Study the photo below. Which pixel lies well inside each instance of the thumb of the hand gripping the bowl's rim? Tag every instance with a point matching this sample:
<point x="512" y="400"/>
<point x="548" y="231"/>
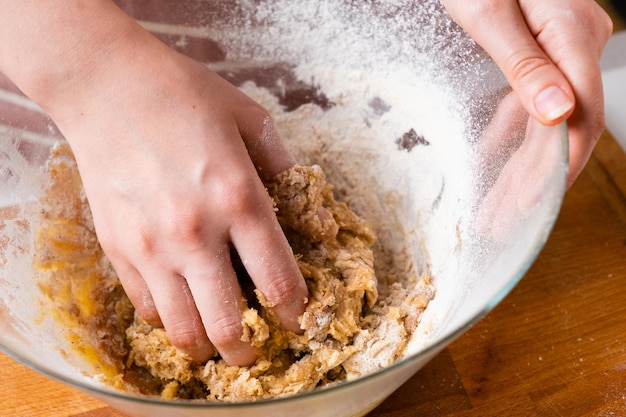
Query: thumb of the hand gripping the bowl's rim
<point x="544" y="91"/>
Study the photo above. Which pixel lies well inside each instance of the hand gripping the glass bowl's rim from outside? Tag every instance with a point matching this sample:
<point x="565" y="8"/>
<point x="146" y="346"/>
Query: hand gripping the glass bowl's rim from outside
<point x="550" y="53"/>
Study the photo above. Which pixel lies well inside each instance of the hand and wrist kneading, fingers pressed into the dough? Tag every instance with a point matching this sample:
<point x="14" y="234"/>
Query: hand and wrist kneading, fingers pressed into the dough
<point x="170" y="156"/>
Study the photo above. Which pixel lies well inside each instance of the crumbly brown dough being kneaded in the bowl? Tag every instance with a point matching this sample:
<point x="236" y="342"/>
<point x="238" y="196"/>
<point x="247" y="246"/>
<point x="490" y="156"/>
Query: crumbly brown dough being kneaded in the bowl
<point x="349" y="330"/>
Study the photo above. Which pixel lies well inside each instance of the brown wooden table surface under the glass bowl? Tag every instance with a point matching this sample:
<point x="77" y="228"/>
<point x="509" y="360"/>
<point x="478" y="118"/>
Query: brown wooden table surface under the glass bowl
<point x="556" y="346"/>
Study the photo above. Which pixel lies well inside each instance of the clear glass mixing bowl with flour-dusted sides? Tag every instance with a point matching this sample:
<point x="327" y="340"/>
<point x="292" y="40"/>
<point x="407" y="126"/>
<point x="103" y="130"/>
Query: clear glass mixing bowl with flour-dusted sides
<point x="449" y="167"/>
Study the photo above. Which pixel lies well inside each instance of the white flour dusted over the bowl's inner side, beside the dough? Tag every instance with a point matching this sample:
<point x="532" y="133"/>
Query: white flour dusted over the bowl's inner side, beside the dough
<point x="385" y="70"/>
